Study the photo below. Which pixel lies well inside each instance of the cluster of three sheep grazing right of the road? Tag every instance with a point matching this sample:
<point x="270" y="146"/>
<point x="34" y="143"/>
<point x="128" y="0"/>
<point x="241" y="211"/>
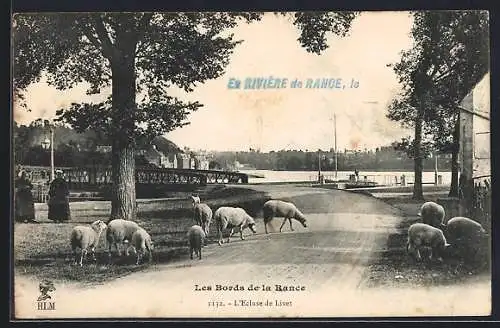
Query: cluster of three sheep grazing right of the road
<point x="437" y="235"/>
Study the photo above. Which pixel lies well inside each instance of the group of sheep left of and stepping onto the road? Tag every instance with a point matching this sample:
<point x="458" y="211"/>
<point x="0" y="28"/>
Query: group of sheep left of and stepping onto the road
<point x="119" y="231"/>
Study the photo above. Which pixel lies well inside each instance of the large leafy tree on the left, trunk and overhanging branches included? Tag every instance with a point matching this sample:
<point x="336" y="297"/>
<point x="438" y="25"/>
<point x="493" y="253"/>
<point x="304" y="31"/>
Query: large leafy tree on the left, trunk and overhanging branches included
<point x="141" y="56"/>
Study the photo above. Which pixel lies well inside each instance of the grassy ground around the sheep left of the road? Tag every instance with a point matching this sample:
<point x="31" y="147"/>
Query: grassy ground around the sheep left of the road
<point x="43" y="249"/>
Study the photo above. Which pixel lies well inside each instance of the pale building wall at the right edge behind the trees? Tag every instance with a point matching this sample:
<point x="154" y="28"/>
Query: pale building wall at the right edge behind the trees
<point x="475" y="153"/>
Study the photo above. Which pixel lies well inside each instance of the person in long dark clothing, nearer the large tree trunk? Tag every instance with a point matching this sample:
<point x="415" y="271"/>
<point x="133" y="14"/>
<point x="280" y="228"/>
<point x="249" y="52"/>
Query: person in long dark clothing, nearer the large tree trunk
<point x="59" y="199"/>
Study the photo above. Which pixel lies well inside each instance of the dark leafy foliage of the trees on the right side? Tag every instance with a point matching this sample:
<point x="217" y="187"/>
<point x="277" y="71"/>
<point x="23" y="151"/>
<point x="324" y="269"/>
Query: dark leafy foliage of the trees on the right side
<point x="450" y="55"/>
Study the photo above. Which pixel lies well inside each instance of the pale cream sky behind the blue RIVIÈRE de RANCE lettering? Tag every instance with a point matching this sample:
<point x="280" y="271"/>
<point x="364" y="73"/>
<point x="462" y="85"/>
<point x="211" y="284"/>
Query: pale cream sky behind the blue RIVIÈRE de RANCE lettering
<point x="285" y="118"/>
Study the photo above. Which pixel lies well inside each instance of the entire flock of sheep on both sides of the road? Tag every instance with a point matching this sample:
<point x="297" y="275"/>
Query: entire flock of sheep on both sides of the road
<point x="433" y="233"/>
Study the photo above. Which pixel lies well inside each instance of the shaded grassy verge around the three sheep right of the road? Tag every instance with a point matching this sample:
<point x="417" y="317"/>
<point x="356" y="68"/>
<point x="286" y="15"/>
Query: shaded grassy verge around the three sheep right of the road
<point x="396" y="268"/>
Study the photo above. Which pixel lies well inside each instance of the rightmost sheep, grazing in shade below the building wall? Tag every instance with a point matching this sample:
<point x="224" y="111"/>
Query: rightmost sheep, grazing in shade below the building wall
<point x="465" y="235"/>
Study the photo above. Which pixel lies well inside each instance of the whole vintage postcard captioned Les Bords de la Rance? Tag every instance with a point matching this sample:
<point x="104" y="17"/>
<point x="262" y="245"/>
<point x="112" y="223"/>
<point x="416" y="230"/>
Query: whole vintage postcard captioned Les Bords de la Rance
<point x="251" y="164"/>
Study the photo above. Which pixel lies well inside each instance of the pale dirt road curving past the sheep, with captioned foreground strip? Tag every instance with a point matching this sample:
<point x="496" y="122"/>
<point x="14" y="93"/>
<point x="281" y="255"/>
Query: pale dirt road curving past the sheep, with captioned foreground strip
<point x="322" y="267"/>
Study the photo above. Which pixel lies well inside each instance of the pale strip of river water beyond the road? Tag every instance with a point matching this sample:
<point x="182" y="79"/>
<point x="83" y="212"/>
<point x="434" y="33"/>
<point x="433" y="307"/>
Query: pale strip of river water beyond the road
<point x="383" y="178"/>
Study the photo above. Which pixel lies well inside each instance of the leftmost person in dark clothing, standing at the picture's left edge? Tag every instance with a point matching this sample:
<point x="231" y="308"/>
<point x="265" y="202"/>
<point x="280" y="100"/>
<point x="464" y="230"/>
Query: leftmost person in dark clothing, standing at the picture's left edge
<point x="24" y="204"/>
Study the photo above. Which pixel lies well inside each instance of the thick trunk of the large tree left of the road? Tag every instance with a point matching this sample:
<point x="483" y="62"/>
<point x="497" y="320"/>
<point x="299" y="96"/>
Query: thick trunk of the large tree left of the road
<point x="123" y="204"/>
